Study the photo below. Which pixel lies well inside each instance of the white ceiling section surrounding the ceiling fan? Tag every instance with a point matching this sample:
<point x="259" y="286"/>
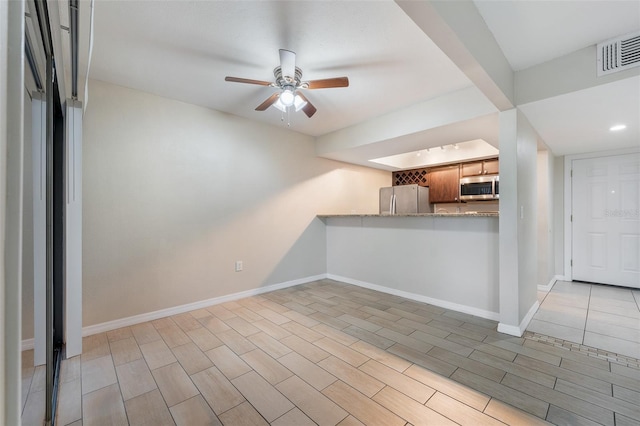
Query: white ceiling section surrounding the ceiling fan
<point x="184" y="49"/>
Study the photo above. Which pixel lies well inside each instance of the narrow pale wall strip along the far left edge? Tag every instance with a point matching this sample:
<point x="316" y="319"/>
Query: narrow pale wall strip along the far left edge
<point x="11" y="206"/>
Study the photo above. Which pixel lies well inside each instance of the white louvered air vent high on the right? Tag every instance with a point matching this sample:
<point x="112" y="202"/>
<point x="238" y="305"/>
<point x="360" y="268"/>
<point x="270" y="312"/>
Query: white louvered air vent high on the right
<point x="619" y="54"/>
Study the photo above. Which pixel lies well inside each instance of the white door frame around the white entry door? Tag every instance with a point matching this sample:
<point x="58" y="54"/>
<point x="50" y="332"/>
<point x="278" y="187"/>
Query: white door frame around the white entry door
<point x="568" y="196"/>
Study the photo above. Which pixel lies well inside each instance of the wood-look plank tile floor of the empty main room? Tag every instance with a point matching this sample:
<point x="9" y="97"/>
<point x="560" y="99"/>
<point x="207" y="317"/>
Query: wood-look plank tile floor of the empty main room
<point x="328" y="353"/>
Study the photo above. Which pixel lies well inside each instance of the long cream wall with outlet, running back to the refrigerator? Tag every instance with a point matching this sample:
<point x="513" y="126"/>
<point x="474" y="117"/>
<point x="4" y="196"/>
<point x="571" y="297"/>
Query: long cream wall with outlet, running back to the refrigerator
<point x="174" y="194"/>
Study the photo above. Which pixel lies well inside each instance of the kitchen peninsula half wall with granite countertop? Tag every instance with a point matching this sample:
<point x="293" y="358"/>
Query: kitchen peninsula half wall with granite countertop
<point x="447" y="260"/>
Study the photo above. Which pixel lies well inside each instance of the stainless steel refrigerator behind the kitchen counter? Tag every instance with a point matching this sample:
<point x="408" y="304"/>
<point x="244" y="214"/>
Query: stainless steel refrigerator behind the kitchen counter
<point x="405" y="199"/>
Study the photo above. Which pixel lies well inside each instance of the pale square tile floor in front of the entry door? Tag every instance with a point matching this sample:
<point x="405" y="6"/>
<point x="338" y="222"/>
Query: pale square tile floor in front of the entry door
<point x="600" y="316"/>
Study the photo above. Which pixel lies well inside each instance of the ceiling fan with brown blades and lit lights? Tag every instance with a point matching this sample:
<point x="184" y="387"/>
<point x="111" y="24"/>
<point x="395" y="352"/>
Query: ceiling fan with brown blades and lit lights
<point x="289" y="81"/>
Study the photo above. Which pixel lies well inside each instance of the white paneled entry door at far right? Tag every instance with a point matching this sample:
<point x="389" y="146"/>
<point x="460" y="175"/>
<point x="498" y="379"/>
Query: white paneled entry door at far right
<point x="606" y="220"/>
